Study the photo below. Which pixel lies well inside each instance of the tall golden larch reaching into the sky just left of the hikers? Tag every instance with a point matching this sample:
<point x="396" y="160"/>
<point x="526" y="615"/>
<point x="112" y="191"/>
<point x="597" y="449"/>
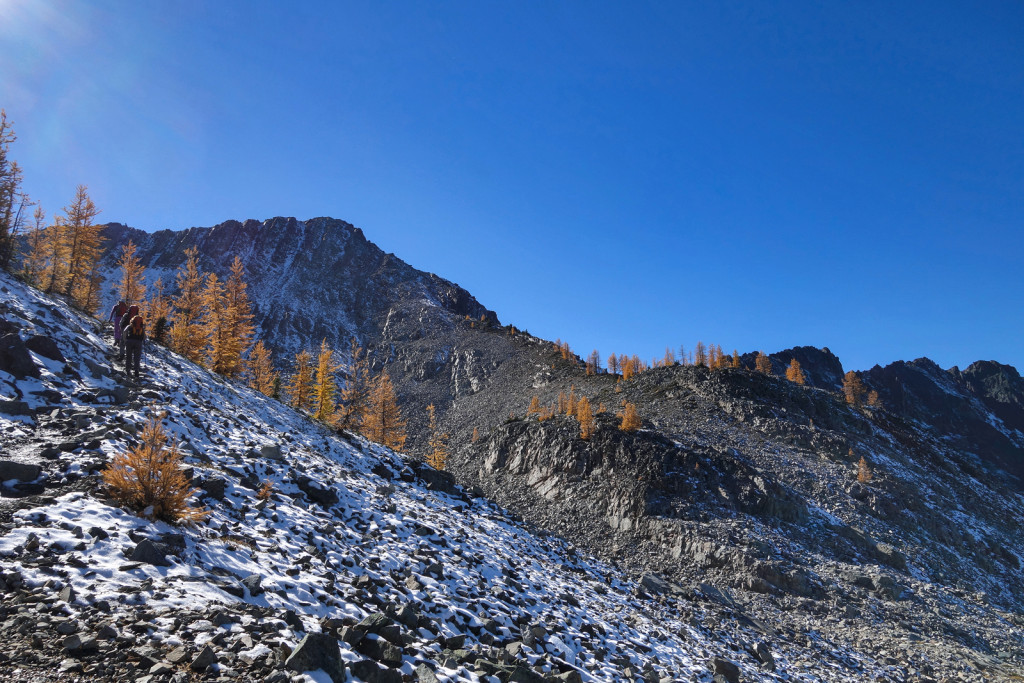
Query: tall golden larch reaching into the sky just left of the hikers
<point x="84" y="245"/>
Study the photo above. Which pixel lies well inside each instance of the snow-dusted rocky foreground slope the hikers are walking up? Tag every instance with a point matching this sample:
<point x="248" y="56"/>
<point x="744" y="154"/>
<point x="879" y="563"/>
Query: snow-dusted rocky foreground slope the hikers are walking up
<point x="403" y="579"/>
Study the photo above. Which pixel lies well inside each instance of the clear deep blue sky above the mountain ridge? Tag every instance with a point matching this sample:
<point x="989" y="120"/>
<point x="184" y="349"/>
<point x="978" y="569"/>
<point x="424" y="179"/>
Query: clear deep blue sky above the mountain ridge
<point x="623" y="176"/>
